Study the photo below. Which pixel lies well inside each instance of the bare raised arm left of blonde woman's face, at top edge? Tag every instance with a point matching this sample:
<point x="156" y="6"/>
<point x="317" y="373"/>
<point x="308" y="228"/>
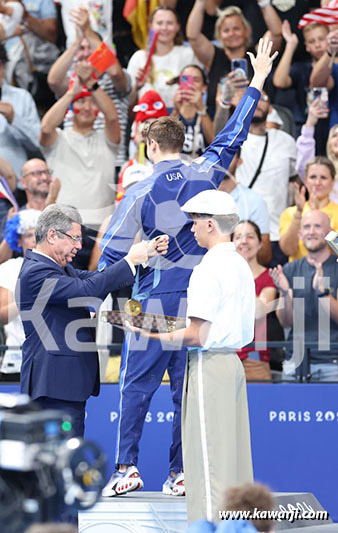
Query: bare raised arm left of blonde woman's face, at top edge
<point x="202" y="47"/>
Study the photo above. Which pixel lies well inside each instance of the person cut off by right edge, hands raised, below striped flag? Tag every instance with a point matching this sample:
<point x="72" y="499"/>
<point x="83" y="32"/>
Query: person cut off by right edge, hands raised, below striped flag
<point x="325" y="74"/>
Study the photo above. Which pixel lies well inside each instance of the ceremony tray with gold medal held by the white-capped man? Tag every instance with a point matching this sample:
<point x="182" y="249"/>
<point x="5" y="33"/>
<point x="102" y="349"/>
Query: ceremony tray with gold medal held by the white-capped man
<point x="149" y="321"/>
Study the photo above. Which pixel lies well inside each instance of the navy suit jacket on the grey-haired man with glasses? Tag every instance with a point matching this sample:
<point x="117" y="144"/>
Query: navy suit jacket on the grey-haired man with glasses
<point x="54" y="363"/>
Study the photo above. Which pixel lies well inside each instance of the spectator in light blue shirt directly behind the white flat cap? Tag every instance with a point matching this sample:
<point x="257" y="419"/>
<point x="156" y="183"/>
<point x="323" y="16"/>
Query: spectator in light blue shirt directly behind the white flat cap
<point x="250" y="205"/>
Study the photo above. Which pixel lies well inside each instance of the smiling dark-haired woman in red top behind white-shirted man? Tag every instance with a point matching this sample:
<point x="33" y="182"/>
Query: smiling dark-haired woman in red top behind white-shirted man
<point x="248" y="241"/>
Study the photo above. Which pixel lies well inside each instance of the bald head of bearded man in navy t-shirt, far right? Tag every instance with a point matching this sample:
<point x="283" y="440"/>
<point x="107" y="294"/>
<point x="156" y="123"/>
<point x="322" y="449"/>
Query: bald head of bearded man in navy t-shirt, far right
<point x="314" y="226"/>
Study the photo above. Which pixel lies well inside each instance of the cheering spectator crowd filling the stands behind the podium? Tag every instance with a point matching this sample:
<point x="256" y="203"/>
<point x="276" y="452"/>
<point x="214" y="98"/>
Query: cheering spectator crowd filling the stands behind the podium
<point x="71" y="133"/>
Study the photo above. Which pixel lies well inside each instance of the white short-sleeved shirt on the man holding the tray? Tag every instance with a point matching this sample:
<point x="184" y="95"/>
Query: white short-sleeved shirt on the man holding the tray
<point x="222" y="291"/>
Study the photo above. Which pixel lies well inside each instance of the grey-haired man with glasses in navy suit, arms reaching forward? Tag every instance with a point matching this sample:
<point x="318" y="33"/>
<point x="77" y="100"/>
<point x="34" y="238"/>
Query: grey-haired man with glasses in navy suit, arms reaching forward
<point x="60" y="366"/>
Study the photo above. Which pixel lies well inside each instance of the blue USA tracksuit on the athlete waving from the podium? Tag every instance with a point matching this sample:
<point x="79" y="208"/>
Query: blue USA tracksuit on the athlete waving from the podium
<point x="152" y="207"/>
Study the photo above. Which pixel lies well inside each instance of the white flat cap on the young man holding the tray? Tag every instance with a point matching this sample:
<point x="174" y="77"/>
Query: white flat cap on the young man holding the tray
<point x="211" y="202"/>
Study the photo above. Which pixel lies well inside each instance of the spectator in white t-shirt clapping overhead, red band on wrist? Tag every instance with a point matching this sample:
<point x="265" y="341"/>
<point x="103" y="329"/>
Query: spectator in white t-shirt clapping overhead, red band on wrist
<point x="84" y="158"/>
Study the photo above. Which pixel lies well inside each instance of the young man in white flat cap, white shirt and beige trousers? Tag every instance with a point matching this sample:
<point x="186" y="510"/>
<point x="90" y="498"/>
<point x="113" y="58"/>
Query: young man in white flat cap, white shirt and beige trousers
<point x="221" y="311"/>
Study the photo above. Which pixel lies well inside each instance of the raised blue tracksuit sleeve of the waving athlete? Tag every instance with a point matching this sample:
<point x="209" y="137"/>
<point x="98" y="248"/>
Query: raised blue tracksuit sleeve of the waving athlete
<point x="228" y="141"/>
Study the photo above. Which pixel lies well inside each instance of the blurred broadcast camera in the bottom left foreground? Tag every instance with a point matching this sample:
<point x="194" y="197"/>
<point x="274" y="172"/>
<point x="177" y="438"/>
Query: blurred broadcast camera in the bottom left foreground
<point x="45" y="473"/>
